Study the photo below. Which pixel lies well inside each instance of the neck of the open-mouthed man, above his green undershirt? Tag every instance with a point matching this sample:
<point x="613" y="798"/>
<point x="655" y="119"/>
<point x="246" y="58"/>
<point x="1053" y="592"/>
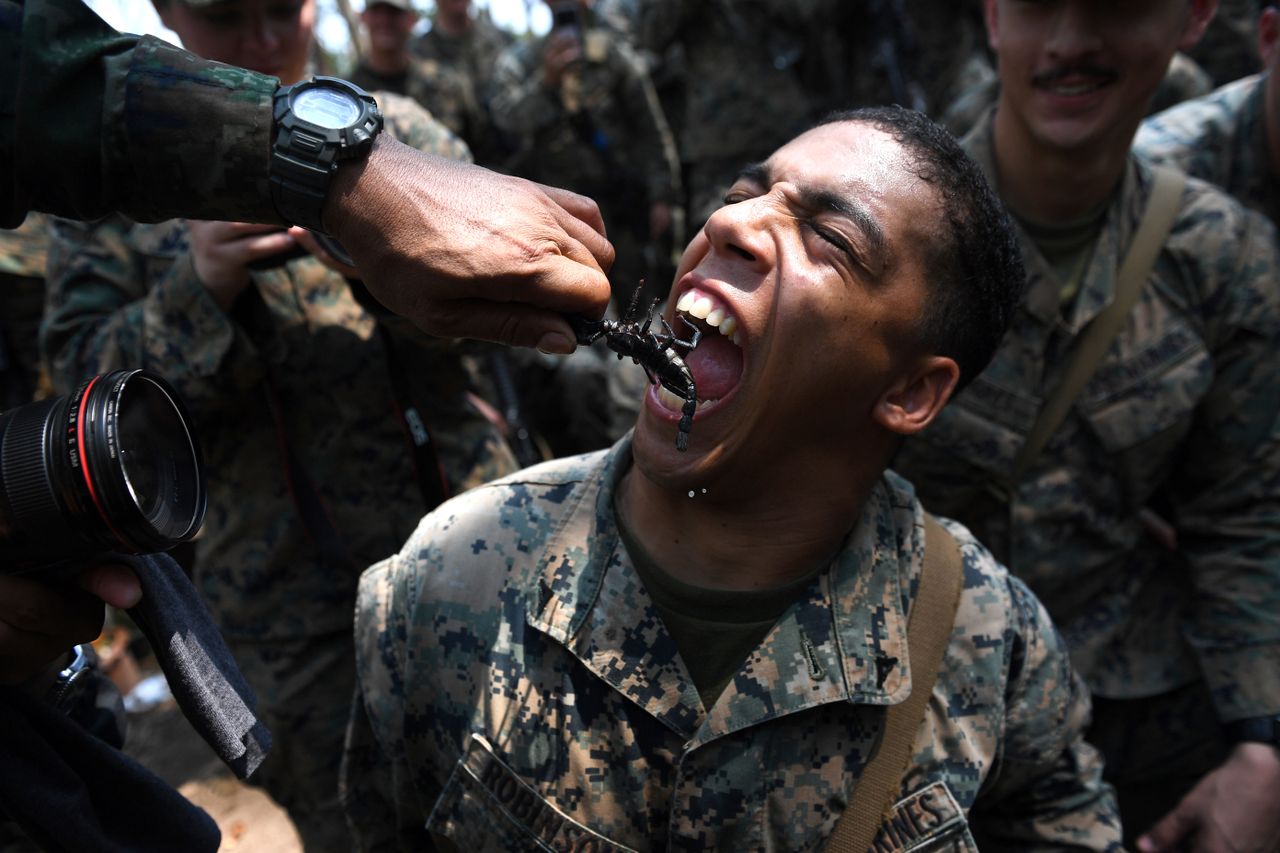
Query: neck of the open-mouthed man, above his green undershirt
<point x="755" y="542"/>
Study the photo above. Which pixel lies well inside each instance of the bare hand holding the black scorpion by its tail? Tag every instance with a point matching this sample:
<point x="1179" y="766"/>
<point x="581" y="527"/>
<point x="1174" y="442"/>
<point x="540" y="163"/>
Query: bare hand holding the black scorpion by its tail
<point x="469" y="253"/>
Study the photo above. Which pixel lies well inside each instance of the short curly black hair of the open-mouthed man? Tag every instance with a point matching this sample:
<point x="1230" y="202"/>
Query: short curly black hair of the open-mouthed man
<point x="975" y="264"/>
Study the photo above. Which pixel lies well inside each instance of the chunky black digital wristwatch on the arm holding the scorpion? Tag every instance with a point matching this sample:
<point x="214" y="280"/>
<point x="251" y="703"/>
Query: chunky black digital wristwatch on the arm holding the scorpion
<point x="319" y="124"/>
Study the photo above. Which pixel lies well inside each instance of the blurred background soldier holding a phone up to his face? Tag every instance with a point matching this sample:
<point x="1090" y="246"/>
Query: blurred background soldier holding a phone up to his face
<point x="584" y="111"/>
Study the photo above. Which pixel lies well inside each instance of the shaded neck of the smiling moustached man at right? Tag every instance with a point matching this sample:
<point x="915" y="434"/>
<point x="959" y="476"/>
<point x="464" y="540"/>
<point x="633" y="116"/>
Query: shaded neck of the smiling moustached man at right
<point x="1048" y="184"/>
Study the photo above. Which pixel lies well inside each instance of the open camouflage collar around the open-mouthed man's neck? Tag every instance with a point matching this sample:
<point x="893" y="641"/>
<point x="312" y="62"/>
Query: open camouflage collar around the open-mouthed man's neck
<point x="843" y="641"/>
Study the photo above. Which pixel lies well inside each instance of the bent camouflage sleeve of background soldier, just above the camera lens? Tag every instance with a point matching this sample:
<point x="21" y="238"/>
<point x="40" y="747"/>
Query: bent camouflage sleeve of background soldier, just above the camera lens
<point x="102" y="314"/>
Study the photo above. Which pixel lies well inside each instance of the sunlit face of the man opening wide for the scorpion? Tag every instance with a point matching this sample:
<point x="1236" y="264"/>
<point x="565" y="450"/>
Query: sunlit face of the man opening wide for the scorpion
<point x="808" y="289"/>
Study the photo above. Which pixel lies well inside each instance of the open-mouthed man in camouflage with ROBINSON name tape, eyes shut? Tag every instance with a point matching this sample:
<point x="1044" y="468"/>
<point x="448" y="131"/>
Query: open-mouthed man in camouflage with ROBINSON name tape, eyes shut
<point x="647" y="649"/>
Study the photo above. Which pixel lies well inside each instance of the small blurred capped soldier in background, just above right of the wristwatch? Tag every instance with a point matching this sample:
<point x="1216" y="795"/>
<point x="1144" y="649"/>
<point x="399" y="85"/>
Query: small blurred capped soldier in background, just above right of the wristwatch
<point x="390" y="66"/>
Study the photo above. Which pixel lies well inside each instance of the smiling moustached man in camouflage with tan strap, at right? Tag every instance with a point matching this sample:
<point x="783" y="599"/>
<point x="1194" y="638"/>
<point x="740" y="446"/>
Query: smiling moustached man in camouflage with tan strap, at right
<point x="1122" y="451"/>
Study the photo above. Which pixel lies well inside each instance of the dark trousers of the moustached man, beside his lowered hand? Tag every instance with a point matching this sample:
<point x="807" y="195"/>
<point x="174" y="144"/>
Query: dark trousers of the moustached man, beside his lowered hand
<point x="1156" y="750"/>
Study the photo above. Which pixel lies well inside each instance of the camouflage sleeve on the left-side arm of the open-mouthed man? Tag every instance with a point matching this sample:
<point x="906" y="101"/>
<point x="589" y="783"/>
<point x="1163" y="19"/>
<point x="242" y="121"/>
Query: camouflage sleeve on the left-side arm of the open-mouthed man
<point x="386" y="809"/>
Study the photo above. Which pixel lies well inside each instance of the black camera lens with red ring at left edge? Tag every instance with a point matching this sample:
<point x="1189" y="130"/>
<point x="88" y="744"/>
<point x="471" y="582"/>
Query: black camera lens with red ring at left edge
<point x="115" y="467"/>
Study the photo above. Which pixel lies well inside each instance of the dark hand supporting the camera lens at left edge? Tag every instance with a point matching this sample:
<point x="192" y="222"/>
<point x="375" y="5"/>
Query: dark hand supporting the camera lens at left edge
<point x="40" y="623"/>
